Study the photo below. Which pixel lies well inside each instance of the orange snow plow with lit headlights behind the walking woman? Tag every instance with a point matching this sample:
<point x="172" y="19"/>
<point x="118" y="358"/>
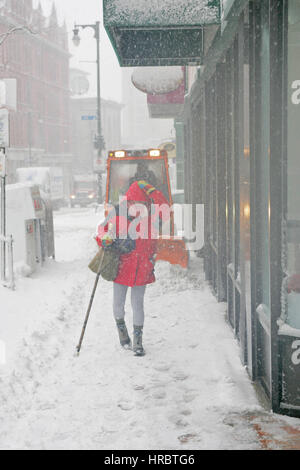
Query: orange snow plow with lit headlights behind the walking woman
<point x="123" y="168"/>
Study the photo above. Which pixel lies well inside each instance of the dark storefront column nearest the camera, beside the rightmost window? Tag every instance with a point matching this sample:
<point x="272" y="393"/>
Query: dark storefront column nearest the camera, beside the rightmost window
<point x="276" y="152"/>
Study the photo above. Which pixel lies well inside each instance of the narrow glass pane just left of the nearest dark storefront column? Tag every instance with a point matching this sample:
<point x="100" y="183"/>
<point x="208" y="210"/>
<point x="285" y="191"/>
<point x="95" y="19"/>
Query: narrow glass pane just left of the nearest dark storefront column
<point x="262" y="194"/>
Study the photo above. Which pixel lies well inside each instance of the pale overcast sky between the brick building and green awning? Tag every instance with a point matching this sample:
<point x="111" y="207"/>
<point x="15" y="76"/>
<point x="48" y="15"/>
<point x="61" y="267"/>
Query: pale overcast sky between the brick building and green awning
<point x="83" y="12"/>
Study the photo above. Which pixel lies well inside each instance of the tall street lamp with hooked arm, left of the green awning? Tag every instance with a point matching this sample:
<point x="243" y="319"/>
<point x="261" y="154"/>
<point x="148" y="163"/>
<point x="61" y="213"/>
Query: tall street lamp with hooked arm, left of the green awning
<point x="100" y="139"/>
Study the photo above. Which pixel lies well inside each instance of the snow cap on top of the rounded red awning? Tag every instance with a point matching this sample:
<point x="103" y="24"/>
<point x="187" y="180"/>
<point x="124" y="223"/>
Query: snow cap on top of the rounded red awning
<point x="157" y="80"/>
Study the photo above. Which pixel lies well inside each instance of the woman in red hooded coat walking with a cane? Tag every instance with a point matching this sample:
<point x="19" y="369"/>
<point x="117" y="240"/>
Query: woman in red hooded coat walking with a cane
<point x="136" y="269"/>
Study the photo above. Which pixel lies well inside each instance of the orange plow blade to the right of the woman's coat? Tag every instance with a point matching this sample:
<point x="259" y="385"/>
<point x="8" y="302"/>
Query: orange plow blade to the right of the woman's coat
<point x="172" y="250"/>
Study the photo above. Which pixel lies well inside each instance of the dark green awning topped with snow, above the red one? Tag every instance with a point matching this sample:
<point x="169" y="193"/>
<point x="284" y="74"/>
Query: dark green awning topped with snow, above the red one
<point x="153" y="33"/>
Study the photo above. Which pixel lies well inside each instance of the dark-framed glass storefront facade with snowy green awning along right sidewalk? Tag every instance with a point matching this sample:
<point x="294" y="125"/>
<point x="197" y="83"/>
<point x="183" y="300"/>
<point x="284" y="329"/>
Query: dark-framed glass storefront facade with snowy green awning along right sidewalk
<point x="240" y="137"/>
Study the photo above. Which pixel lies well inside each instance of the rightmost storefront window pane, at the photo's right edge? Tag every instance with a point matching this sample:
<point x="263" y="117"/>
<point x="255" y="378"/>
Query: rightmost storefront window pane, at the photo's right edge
<point x="293" y="167"/>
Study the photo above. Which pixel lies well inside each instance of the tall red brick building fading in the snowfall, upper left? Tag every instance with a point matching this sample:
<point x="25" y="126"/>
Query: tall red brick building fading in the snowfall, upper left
<point x="38" y="58"/>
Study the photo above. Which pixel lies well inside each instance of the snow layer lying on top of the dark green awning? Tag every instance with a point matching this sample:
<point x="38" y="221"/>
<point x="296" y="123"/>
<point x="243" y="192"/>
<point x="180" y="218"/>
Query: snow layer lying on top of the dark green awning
<point x="156" y="12"/>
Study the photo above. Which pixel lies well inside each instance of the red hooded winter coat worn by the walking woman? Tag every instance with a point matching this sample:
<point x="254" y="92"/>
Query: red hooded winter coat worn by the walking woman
<point x="137" y="267"/>
